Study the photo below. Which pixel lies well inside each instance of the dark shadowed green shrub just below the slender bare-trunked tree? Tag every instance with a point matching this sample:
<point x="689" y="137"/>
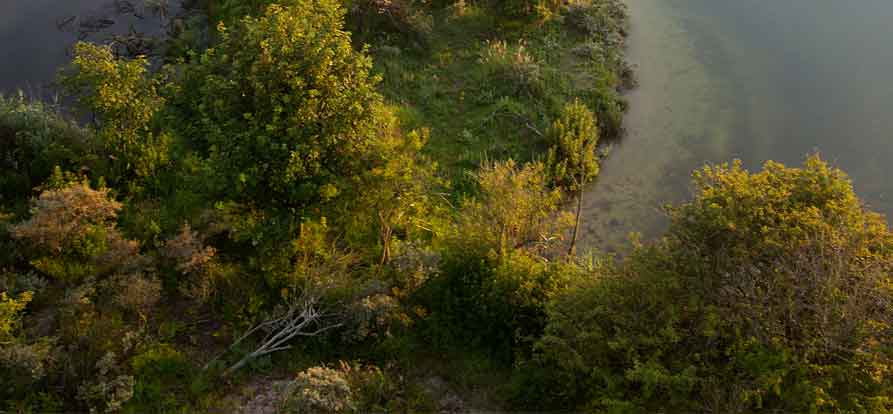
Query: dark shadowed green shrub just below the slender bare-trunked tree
<point x="497" y="305"/>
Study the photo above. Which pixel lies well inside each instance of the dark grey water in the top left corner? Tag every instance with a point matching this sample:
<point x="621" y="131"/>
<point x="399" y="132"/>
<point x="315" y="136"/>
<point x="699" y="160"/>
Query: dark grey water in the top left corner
<point x="36" y="36"/>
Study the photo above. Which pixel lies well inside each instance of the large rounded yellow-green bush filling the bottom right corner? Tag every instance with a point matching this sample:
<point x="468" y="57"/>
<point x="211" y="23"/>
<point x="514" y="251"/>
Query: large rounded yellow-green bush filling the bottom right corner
<point x="770" y="293"/>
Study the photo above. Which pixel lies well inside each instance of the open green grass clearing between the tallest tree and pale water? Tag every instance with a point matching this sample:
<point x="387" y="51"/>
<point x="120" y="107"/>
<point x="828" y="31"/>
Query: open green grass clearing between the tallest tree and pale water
<point x="488" y="87"/>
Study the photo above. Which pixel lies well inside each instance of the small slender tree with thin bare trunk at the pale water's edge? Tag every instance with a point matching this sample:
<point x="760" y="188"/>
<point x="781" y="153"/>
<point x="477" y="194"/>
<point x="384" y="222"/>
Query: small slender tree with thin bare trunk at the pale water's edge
<point x="573" y="158"/>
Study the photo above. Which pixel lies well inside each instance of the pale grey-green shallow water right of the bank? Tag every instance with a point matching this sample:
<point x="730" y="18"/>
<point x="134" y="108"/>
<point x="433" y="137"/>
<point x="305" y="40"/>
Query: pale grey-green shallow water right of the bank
<point x="753" y="80"/>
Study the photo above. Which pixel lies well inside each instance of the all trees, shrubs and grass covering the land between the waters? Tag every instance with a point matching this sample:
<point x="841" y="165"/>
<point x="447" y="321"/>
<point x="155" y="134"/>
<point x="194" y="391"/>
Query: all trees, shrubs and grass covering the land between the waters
<point x="360" y="206"/>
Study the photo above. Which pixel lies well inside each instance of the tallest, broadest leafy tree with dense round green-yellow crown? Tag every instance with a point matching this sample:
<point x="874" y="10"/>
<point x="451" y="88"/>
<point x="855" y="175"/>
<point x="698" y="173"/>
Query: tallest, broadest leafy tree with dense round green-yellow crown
<point x="285" y="108"/>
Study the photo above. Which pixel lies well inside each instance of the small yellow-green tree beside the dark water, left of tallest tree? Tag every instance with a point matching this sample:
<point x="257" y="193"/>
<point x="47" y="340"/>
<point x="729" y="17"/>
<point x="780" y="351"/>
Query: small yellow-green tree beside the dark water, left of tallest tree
<point x="123" y="98"/>
